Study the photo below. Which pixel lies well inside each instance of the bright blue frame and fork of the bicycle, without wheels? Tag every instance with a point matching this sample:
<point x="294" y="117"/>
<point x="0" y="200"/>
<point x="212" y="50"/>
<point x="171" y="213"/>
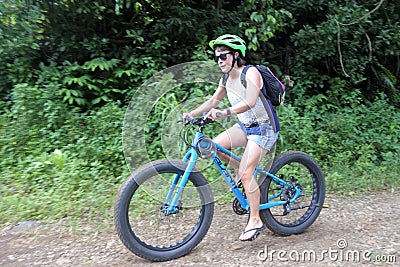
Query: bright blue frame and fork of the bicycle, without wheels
<point x="179" y="182"/>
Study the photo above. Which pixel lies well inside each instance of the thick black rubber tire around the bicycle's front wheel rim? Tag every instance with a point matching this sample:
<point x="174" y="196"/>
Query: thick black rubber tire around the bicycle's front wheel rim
<point x="128" y="189"/>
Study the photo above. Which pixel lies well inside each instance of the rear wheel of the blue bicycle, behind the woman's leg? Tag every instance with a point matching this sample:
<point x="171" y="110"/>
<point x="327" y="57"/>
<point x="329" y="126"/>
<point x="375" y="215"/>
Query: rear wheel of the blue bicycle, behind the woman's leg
<point x="302" y="171"/>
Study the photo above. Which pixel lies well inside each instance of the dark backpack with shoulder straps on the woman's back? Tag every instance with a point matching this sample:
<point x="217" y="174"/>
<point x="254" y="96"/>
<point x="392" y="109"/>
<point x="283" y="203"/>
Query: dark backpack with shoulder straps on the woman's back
<point x="273" y="89"/>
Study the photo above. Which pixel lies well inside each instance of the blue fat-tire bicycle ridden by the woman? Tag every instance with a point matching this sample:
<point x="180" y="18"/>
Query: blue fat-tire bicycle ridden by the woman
<point x="165" y="208"/>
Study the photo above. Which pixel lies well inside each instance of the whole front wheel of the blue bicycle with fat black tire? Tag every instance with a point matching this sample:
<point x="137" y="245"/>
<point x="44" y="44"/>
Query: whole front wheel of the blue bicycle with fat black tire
<point x="140" y="216"/>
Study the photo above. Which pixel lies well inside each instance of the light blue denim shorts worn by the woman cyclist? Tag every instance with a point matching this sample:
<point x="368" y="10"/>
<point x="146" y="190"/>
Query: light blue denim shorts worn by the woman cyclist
<point x="262" y="134"/>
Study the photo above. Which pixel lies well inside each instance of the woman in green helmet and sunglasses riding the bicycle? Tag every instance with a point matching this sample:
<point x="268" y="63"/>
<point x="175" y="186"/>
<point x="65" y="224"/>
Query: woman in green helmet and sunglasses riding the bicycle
<point x="255" y="129"/>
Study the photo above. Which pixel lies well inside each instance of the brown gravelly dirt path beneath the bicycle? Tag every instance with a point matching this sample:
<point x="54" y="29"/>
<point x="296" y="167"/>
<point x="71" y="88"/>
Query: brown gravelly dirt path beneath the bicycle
<point x="351" y="232"/>
